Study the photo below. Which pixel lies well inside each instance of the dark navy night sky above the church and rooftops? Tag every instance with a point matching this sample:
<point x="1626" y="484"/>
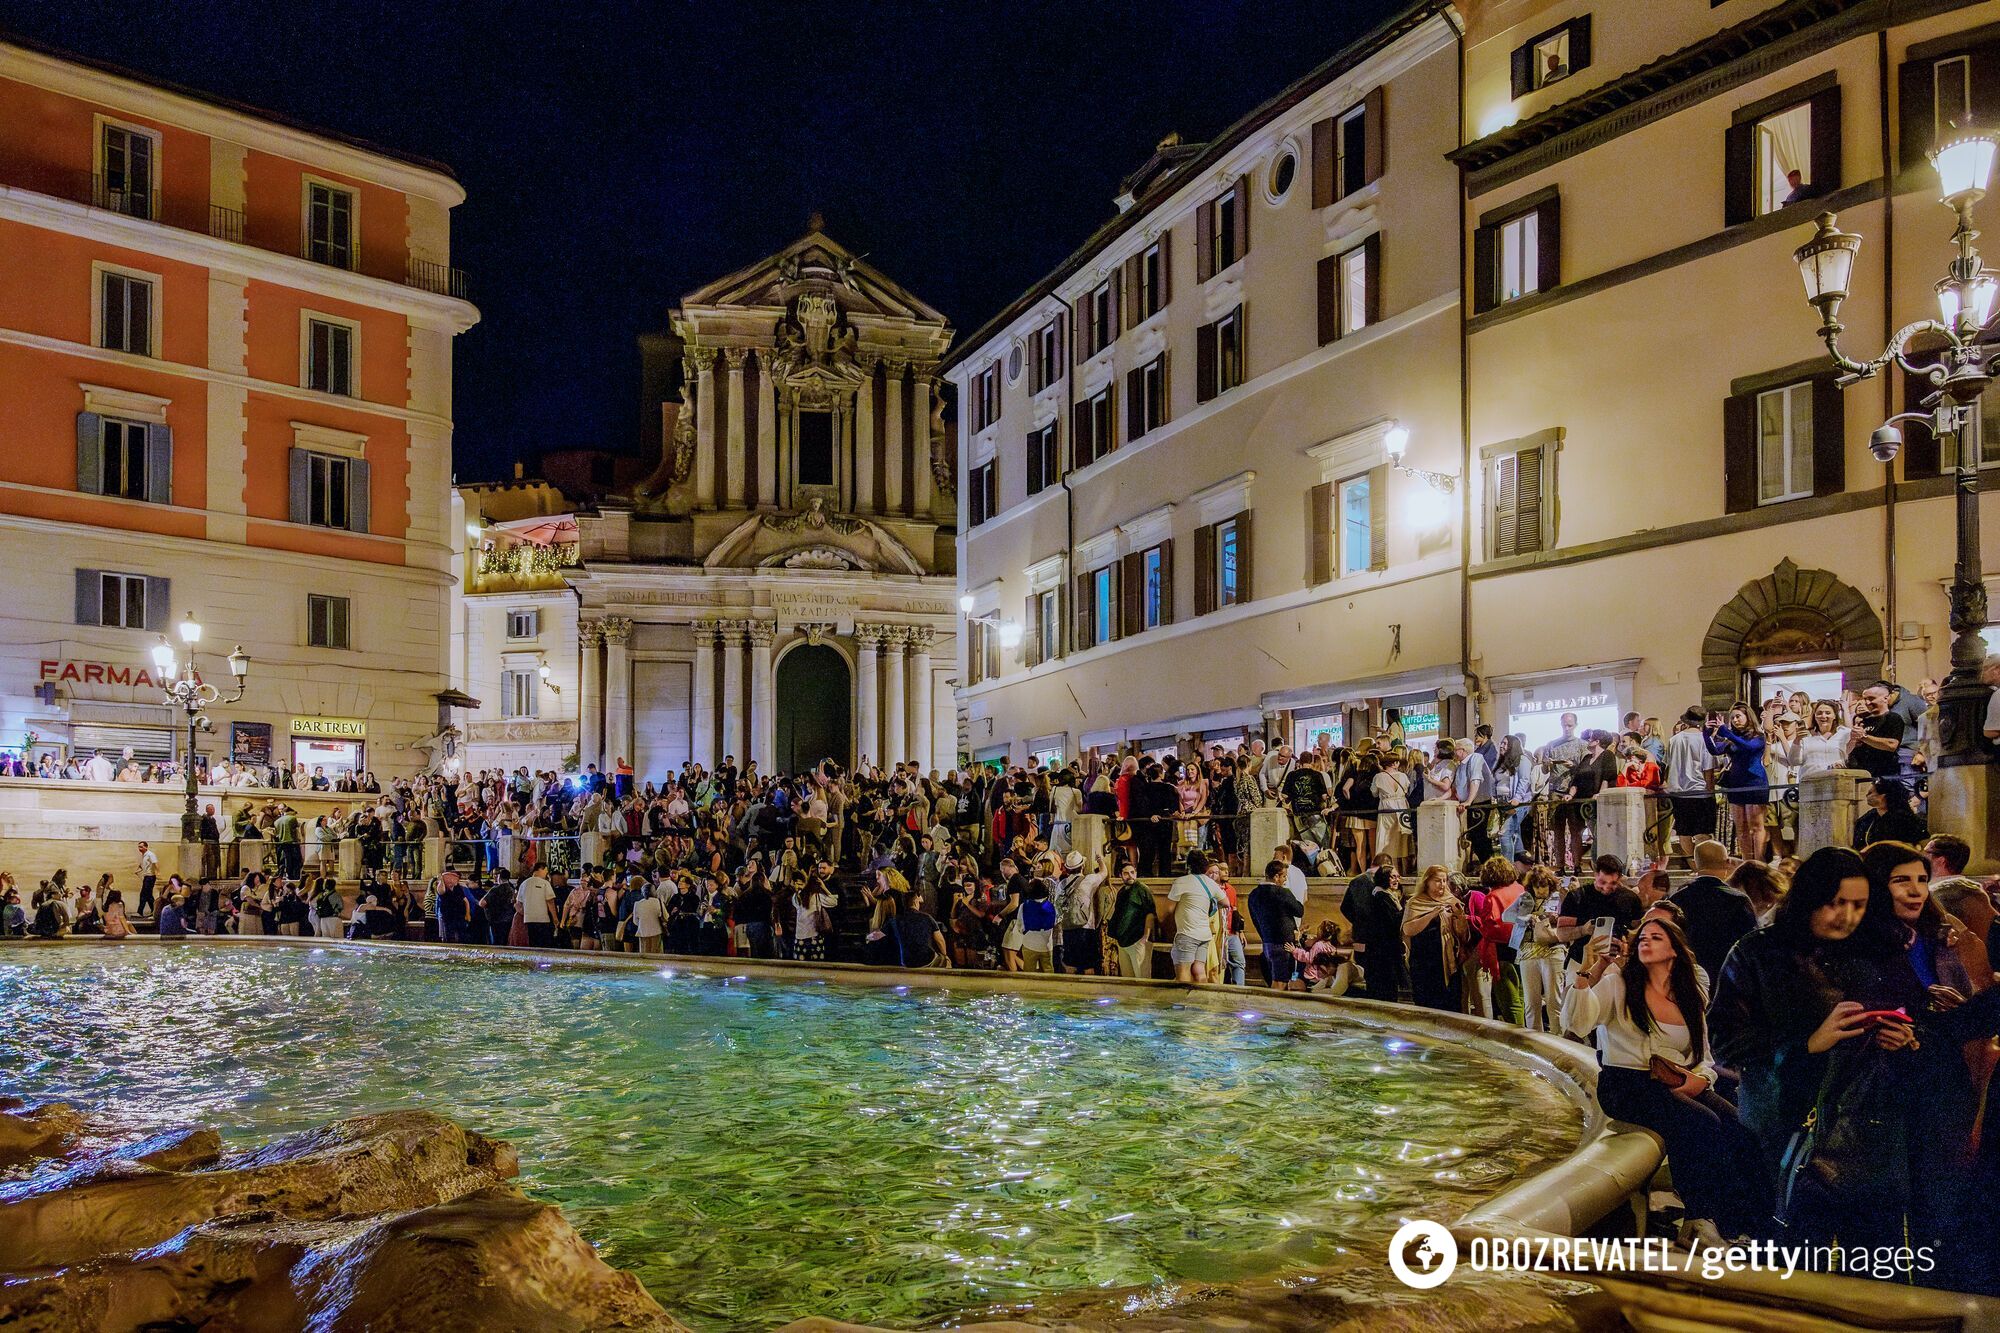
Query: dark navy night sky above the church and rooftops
<point x="617" y="157"/>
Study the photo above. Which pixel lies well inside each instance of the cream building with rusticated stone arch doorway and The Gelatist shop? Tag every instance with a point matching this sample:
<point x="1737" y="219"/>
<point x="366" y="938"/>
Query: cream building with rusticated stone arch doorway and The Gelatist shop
<point x="1709" y="523"/>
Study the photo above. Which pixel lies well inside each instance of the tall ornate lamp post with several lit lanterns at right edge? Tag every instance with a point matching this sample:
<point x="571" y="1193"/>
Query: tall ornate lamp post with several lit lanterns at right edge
<point x="1959" y="377"/>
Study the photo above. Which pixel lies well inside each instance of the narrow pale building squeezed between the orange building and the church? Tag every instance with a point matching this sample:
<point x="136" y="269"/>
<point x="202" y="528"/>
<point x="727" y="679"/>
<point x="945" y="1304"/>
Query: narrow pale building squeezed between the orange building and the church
<point x="515" y="643"/>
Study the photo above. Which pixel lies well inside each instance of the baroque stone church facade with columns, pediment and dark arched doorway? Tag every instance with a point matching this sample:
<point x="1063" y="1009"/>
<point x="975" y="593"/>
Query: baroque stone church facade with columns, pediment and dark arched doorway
<point x="781" y="589"/>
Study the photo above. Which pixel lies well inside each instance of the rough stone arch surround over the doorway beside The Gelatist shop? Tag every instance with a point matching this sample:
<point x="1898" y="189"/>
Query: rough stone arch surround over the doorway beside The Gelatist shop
<point x="1791" y="613"/>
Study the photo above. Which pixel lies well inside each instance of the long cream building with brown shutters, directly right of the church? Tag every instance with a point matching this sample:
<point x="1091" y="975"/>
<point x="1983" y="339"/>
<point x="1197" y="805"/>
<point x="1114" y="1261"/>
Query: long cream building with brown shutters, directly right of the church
<point x="1179" y="481"/>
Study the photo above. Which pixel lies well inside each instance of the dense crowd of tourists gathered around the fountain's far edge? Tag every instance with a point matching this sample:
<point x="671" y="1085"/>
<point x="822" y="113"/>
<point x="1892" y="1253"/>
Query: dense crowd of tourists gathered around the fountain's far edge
<point x="1811" y="1038"/>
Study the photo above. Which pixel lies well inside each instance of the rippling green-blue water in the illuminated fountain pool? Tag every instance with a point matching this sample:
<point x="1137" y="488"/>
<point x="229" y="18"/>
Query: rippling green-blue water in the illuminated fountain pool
<point x="761" y="1152"/>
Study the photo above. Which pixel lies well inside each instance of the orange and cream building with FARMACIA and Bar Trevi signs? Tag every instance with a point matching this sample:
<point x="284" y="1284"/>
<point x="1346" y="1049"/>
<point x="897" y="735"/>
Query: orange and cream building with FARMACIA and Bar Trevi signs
<point x="225" y="389"/>
